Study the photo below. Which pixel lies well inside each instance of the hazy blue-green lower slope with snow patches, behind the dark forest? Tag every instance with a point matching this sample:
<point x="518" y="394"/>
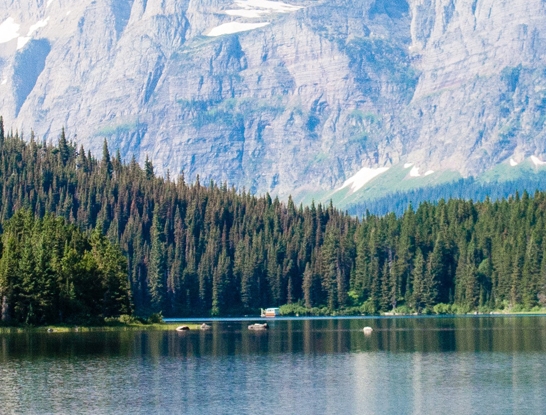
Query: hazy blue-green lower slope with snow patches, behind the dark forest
<point x="393" y="189"/>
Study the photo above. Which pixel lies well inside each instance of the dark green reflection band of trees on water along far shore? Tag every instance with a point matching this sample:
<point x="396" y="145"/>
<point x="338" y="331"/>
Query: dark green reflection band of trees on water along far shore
<point x="309" y="336"/>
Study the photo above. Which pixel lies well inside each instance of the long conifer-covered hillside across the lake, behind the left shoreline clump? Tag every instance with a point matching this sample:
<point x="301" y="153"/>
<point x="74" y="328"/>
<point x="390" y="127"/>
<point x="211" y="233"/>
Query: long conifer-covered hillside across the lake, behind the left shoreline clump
<point x="201" y="250"/>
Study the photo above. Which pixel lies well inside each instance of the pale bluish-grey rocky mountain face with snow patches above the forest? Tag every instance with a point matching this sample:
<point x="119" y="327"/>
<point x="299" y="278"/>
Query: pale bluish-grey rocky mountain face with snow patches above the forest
<point x="282" y="97"/>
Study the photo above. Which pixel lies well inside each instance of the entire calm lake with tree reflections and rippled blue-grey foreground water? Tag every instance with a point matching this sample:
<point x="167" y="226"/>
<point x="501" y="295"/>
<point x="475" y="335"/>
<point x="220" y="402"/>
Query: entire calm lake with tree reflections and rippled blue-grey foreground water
<point x="441" y="365"/>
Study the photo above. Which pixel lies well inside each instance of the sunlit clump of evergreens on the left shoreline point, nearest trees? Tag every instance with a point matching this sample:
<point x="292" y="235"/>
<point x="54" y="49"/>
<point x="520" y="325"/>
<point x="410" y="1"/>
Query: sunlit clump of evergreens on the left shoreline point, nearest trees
<point x="51" y="272"/>
